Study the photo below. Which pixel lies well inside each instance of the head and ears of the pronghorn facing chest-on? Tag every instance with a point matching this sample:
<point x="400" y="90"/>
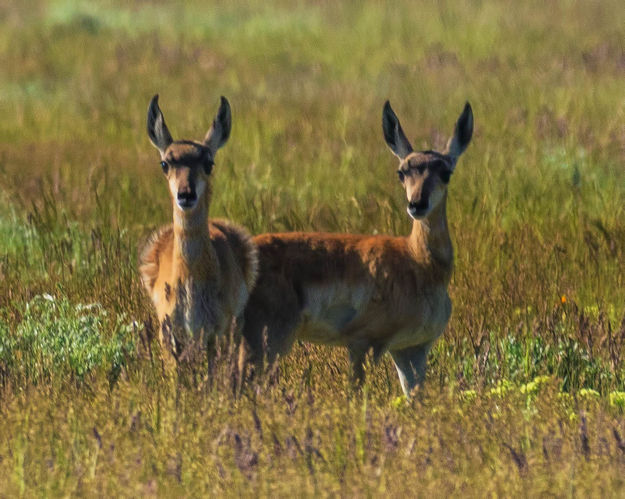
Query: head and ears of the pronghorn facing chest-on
<point x="188" y="164"/>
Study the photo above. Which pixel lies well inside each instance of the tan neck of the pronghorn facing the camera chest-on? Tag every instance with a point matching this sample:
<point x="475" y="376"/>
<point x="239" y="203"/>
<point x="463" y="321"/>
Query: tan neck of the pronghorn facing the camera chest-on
<point x="193" y="252"/>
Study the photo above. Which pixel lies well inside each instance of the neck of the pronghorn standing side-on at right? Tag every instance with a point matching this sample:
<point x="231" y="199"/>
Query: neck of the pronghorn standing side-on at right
<point x="430" y="239"/>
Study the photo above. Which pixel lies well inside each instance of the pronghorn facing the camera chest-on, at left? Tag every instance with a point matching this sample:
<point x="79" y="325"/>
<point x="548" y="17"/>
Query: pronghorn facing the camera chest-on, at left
<point x="198" y="272"/>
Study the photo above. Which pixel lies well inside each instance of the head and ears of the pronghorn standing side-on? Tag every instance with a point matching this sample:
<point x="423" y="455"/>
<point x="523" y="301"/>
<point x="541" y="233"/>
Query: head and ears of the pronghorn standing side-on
<point x="425" y="174"/>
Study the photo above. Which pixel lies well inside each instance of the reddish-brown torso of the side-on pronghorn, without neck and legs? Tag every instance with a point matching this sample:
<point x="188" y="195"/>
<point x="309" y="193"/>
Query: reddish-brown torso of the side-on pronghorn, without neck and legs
<point x="338" y="282"/>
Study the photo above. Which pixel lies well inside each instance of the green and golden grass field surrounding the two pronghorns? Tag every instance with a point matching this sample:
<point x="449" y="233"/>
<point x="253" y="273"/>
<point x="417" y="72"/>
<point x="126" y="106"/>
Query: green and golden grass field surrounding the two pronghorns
<point x="525" y="393"/>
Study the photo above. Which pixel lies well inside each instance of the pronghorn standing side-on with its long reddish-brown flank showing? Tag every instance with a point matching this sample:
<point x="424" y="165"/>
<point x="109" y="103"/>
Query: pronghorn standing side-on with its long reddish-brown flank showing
<point x="365" y="292"/>
